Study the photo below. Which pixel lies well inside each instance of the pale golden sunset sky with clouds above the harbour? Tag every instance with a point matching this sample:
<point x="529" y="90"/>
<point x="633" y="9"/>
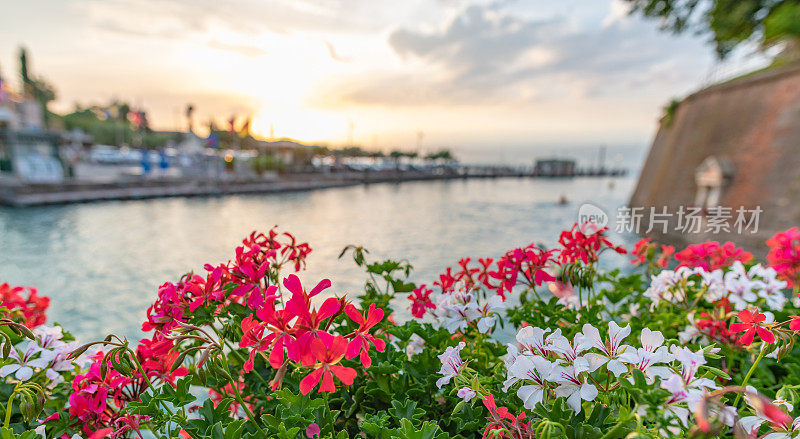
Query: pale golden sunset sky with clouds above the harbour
<point x="506" y="73"/>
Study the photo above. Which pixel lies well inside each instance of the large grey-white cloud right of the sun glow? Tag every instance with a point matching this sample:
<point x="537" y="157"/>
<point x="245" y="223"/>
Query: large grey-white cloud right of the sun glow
<point x="486" y="55"/>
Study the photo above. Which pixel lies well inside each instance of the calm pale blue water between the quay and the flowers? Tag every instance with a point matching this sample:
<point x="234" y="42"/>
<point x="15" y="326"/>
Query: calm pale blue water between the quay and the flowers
<point x="101" y="263"/>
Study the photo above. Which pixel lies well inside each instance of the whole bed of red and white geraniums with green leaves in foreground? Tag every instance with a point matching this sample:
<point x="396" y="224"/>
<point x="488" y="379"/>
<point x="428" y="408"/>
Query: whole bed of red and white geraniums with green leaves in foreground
<point x="281" y="360"/>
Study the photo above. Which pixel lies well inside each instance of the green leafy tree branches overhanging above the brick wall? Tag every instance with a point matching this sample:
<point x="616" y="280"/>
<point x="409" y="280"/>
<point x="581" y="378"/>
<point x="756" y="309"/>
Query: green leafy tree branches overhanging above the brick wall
<point x="729" y="22"/>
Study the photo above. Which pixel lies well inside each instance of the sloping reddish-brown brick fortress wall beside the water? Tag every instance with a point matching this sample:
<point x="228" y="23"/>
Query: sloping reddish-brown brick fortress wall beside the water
<point x="754" y="122"/>
